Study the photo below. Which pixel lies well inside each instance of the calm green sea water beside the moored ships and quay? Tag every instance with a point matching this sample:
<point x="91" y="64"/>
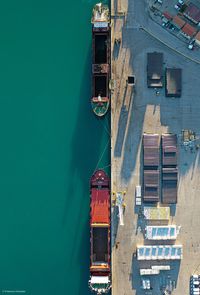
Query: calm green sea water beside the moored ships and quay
<point x="50" y="145"/>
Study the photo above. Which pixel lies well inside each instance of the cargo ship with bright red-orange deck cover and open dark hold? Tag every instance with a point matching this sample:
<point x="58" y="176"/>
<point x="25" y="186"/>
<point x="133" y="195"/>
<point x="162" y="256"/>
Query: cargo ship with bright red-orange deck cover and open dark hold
<point x="100" y="264"/>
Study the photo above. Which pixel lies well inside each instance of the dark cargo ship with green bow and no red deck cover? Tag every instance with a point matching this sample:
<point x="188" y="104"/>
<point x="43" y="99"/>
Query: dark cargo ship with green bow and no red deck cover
<point x="100" y="59"/>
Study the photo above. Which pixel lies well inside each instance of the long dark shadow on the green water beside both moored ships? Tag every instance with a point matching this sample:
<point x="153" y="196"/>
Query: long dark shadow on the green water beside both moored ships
<point x="86" y="156"/>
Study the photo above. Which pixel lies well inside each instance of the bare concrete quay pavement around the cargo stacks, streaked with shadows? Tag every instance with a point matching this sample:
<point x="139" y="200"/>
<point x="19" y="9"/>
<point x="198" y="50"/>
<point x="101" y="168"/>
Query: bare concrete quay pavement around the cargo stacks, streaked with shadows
<point x="137" y="109"/>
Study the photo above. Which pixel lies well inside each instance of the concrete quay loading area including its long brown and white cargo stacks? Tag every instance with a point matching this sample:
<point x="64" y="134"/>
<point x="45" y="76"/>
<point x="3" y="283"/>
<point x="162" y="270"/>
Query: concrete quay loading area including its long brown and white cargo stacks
<point x="156" y="247"/>
